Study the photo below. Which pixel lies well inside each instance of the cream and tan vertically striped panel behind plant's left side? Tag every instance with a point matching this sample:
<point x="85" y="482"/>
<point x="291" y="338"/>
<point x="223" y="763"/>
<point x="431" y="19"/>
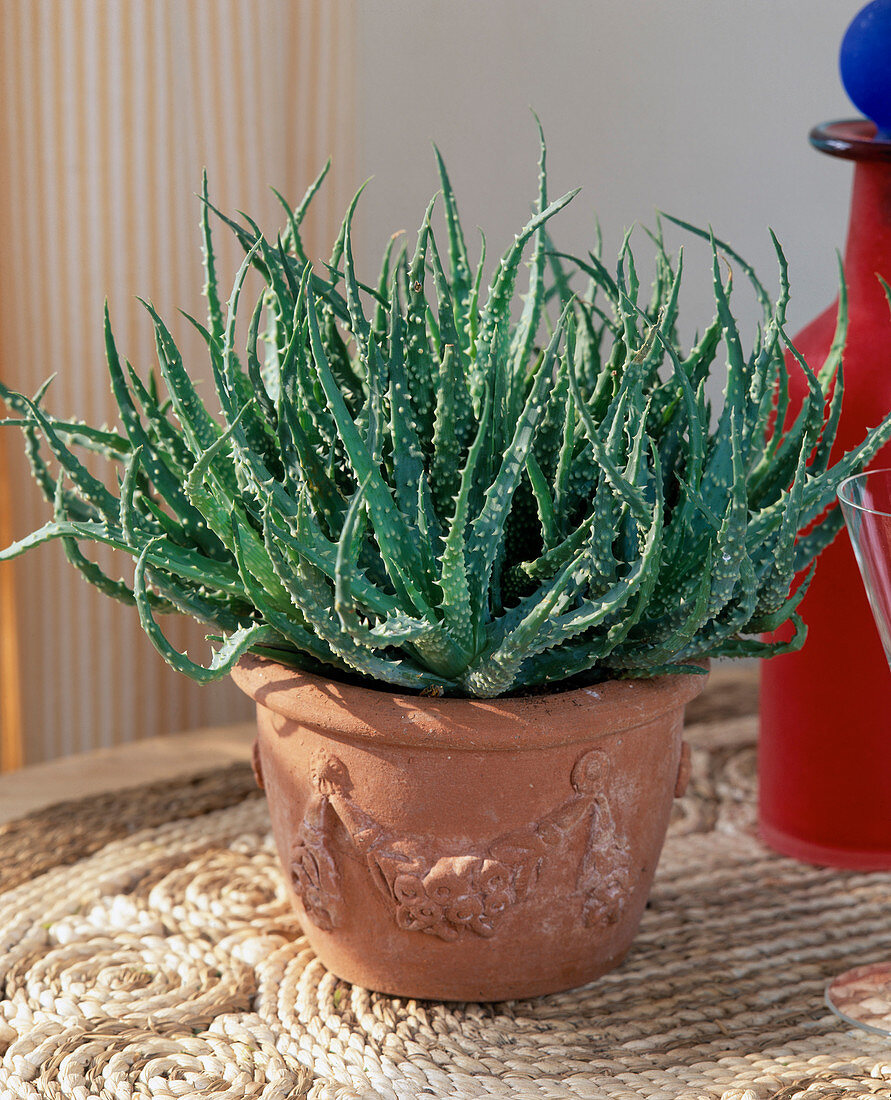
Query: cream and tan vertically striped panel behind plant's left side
<point x="111" y="111"/>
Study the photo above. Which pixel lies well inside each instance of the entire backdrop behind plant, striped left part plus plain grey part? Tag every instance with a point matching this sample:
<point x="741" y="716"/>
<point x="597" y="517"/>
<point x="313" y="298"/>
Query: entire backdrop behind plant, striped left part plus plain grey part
<point x="111" y="108"/>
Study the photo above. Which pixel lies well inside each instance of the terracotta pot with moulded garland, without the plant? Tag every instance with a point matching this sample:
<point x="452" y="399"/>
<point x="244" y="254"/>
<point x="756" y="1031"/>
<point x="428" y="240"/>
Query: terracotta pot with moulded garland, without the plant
<point x="468" y="850"/>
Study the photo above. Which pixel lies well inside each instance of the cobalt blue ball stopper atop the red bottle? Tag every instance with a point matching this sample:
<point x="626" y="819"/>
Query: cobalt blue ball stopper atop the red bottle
<point x="865" y="62"/>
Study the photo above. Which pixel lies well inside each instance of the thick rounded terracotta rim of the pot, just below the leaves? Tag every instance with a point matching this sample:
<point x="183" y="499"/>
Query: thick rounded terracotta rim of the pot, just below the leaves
<point x="500" y="724"/>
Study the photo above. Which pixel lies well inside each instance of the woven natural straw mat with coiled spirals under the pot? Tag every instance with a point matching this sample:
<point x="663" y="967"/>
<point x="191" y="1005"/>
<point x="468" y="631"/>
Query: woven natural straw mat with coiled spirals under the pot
<point x="148" y="950"/>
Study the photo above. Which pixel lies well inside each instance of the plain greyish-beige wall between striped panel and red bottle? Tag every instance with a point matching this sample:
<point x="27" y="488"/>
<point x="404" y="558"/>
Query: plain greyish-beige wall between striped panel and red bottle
<point x="698" y="107"/>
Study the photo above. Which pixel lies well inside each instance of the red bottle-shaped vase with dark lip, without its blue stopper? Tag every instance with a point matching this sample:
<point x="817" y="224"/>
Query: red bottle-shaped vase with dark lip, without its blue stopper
<point x="826" y="740"/>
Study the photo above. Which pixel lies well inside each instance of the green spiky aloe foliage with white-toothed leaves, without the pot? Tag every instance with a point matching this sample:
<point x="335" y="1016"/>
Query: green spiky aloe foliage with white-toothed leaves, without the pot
<point x="409" y="485"/>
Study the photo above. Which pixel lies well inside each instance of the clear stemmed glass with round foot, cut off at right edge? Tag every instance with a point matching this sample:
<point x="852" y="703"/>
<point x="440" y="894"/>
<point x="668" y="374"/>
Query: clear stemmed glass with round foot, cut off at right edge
<point x="863" y="996"/>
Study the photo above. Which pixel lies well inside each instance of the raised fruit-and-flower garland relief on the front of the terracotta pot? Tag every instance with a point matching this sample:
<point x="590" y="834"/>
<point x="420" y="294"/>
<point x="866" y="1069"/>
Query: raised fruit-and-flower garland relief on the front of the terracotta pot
<point x="434" y="889"/>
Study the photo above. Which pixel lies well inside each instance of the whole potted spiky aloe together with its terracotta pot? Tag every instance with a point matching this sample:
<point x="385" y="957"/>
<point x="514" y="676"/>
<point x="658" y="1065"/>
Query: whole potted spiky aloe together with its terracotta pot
<point x="471" y="563"/>
